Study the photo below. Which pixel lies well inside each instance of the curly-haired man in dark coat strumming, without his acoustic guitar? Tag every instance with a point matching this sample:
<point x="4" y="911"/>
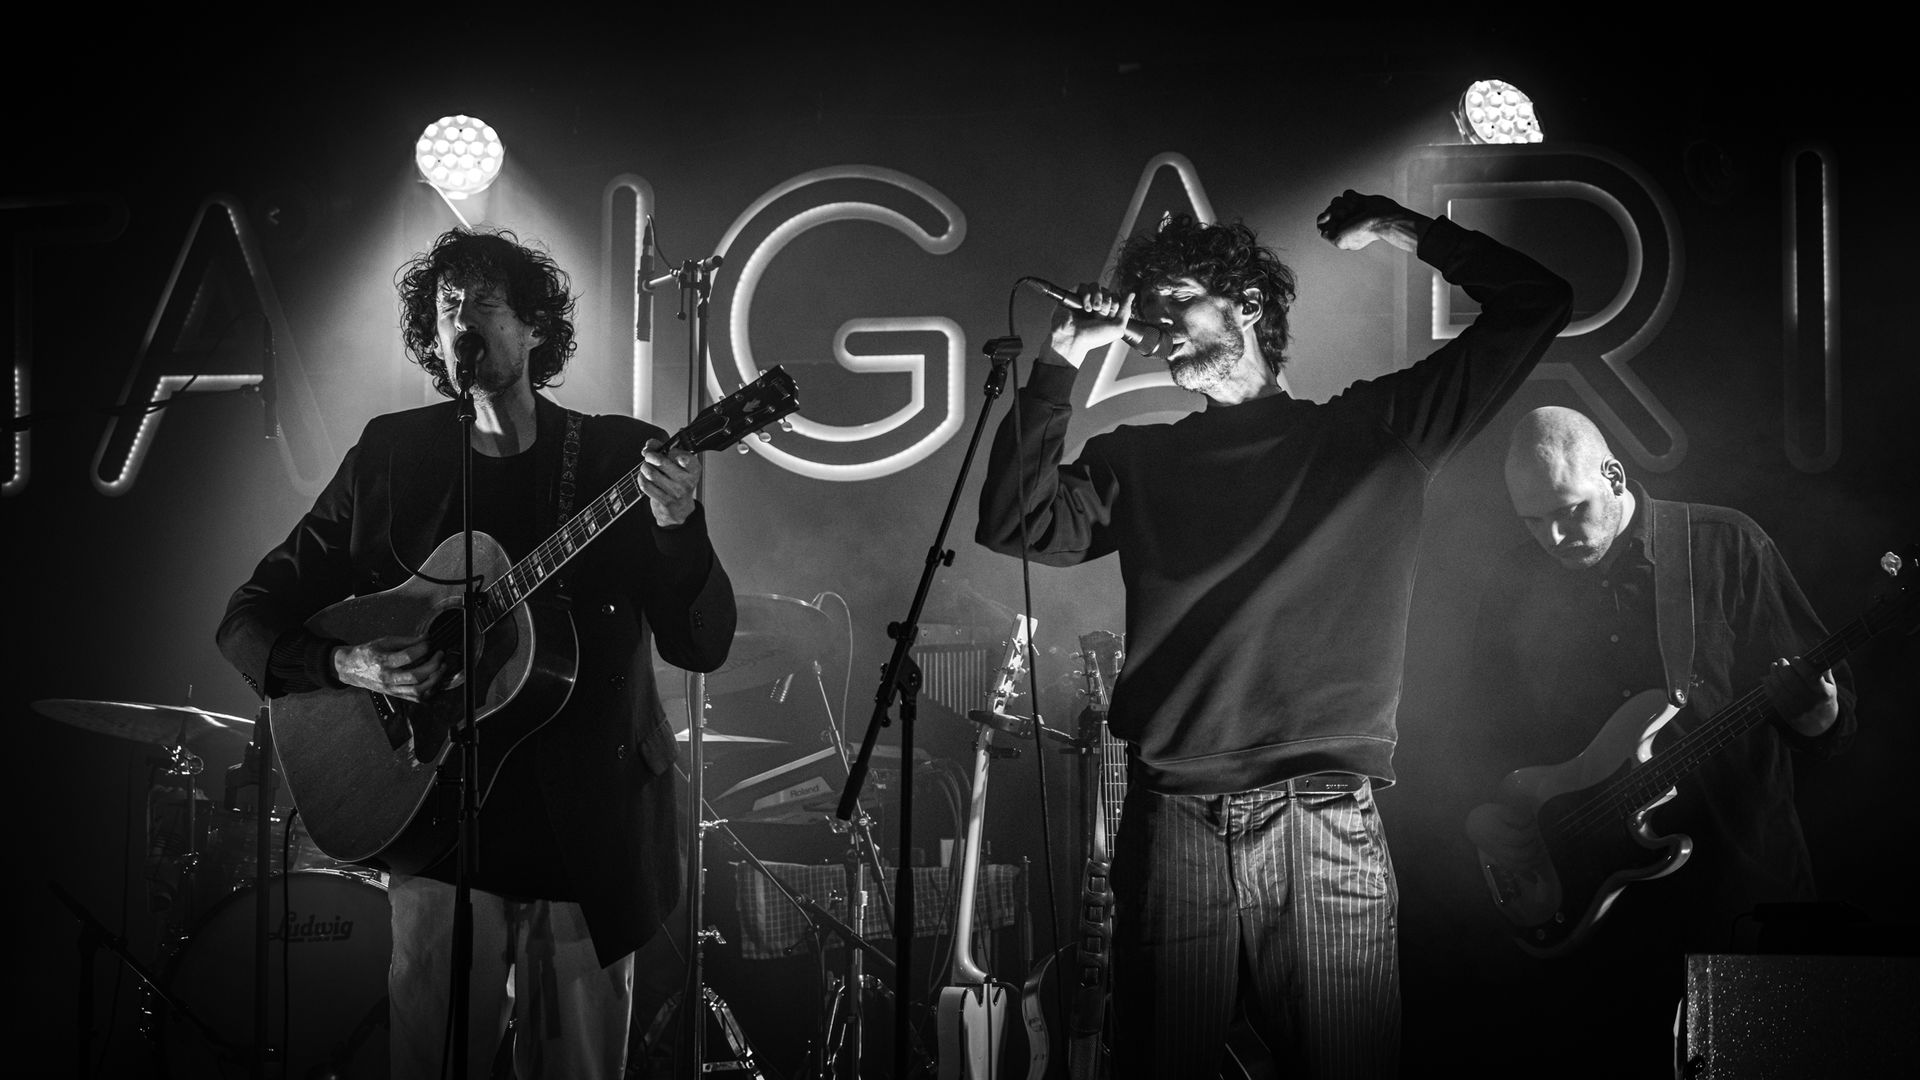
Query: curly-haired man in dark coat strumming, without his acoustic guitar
<point x="579" y="854"/>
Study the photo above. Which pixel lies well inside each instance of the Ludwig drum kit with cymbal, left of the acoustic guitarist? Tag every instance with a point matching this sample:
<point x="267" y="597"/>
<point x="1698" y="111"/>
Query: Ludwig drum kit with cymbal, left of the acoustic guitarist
<point x="327" y="923"/>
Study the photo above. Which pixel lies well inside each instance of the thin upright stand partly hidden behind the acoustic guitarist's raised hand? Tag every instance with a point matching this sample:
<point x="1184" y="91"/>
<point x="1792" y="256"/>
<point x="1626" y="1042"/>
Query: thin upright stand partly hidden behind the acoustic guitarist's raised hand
<point x="696" y="285"/>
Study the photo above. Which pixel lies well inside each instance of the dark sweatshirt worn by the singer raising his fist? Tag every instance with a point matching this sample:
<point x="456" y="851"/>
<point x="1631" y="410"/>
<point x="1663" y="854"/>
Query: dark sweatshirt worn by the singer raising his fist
<point x="1268" y="549"/>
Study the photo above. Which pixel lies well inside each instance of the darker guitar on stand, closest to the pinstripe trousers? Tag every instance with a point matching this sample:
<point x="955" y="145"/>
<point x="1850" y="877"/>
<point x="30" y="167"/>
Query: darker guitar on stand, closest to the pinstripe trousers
<point x="1105" y="779"/>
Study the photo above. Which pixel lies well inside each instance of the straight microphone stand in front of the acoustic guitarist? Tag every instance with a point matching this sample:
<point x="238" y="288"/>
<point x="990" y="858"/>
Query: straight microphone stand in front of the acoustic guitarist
<point x="466" y="739"/>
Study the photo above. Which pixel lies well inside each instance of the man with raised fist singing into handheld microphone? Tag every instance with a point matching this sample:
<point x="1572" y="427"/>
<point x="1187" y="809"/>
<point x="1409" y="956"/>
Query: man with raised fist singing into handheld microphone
<point x="1268" y="554"/>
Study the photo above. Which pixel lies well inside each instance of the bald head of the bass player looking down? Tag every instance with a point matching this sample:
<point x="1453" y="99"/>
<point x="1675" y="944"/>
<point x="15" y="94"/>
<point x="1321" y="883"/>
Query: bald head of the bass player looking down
<point x="1568" y="487"/>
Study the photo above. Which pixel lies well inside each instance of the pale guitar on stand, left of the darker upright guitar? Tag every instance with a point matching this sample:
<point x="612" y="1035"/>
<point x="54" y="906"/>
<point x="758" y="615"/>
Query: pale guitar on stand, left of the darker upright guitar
<point x="972" y="1012"/>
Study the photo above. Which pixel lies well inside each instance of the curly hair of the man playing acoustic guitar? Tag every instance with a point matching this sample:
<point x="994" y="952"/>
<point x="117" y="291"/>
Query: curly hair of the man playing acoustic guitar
<point x="537" y="289"/>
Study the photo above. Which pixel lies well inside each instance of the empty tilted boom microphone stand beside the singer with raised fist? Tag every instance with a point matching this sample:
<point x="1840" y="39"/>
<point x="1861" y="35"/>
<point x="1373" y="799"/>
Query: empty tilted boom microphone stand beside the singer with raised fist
<point x="901" y="677"/>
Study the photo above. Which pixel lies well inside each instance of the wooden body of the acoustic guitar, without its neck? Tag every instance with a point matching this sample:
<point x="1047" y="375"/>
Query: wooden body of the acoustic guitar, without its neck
<point x="362" y="766"/>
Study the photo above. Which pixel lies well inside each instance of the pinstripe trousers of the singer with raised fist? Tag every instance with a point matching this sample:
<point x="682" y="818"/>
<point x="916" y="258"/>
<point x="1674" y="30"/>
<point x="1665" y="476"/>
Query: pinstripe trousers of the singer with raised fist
<point x="1293" y="895"/>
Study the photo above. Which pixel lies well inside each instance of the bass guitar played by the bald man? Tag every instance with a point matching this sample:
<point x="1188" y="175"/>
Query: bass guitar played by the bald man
<point x="1591" y="831"/>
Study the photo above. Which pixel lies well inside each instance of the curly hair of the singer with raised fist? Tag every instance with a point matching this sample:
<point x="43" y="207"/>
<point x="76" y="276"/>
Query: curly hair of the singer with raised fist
<point x="1228" y="260"/>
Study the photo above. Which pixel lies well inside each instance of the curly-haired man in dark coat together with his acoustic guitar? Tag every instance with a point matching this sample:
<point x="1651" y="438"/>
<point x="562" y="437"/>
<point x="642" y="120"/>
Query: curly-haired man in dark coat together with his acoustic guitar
<point x="352" y="629"/>
